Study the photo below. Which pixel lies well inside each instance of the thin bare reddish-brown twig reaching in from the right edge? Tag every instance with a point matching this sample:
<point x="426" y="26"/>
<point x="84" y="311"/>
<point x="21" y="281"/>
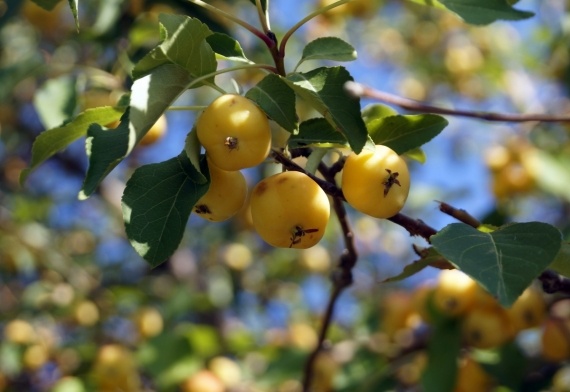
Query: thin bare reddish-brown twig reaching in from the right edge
<point x="361" y="91"/>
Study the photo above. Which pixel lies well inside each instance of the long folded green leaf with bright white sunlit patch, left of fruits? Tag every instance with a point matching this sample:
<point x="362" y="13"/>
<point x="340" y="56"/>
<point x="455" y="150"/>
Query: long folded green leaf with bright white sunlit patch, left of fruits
<point x="150" y="97"/>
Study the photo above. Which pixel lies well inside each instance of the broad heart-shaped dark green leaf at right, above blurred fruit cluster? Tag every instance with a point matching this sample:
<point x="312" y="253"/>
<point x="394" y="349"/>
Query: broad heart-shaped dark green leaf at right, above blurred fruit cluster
<point x="505" y="261"/>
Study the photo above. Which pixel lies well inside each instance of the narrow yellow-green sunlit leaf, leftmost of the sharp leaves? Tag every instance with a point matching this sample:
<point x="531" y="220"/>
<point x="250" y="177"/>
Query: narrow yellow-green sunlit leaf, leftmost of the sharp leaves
<point x="50" y="142"/>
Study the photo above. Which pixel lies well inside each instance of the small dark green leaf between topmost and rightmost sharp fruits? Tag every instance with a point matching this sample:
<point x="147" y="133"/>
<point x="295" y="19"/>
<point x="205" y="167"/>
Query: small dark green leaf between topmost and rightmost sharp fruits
<point x="316" y="131"/>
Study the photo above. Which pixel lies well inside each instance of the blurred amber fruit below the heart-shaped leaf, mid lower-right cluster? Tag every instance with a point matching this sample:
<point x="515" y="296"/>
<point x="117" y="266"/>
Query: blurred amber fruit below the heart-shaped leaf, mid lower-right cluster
<point x="487" y="327"/>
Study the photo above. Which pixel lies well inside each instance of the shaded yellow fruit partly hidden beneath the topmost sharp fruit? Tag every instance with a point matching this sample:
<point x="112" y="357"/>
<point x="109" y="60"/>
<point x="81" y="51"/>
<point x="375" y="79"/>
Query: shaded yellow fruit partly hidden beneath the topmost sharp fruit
<point x="225" y="197"/>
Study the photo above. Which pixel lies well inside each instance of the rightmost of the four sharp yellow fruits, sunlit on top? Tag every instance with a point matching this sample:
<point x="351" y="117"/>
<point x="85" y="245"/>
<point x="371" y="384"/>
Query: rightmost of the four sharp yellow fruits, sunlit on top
<point x="376" y="182"/>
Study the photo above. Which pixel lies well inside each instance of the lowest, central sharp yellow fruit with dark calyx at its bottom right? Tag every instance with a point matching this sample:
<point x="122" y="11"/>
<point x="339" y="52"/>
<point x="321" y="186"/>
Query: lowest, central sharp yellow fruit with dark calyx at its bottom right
<point x="289" y="210"/>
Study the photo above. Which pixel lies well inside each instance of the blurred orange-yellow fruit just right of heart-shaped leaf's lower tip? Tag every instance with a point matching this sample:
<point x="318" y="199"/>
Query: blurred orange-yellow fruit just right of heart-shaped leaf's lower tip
<point x="528" y="311"/>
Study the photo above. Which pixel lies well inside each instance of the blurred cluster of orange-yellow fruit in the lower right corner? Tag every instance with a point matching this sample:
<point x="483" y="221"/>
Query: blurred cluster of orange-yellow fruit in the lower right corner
<point x="485" y="324"/>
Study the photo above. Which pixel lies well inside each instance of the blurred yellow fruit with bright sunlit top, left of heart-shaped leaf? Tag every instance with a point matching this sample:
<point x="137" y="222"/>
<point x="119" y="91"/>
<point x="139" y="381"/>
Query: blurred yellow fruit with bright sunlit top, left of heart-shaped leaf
<point x="454" y="292"/>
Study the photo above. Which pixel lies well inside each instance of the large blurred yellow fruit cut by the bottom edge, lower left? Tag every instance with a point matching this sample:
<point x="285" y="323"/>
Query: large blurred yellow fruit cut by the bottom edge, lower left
<point x="115" y="369"/>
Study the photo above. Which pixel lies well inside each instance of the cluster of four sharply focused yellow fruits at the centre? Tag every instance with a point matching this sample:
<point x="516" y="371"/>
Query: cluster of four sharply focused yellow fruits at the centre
<point x="288" y="209"/>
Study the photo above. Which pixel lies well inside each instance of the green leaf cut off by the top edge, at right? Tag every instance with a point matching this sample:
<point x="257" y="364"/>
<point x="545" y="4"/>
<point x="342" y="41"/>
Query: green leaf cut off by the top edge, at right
<point x="481" y="12"/>
